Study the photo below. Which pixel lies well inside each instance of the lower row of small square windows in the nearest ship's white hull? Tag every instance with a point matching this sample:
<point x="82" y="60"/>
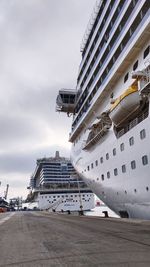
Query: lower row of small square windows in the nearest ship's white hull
<point x="124" y="168"/>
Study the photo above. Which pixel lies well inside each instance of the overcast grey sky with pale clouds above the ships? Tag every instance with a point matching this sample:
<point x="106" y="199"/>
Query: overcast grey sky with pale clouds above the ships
<point x="39" y="54"/>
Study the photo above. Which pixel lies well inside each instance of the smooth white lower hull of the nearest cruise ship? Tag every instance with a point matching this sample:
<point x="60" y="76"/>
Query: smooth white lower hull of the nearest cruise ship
<point x="127" y="192"/>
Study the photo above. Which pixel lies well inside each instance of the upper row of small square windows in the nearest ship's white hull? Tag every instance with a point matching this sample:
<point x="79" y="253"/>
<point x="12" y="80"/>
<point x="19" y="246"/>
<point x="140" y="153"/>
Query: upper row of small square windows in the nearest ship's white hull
<point x="122" y="148"/>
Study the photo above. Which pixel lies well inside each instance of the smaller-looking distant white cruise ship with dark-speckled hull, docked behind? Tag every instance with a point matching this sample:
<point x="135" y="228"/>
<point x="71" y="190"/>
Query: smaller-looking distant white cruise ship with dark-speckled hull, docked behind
<point x="55" y="186"/>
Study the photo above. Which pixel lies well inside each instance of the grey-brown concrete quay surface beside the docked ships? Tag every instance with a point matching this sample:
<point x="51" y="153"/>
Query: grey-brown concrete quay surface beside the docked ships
<point x="59" y="240"/>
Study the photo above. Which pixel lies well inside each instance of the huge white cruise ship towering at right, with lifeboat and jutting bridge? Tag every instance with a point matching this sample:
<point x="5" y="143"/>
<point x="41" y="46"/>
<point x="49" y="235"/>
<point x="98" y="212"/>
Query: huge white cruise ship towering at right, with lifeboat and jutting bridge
<point x="110" y="107"/>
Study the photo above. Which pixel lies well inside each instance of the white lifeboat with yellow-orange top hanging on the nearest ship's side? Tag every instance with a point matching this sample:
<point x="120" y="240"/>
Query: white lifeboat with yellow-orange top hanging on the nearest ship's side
<point x="123" y="106"/>
